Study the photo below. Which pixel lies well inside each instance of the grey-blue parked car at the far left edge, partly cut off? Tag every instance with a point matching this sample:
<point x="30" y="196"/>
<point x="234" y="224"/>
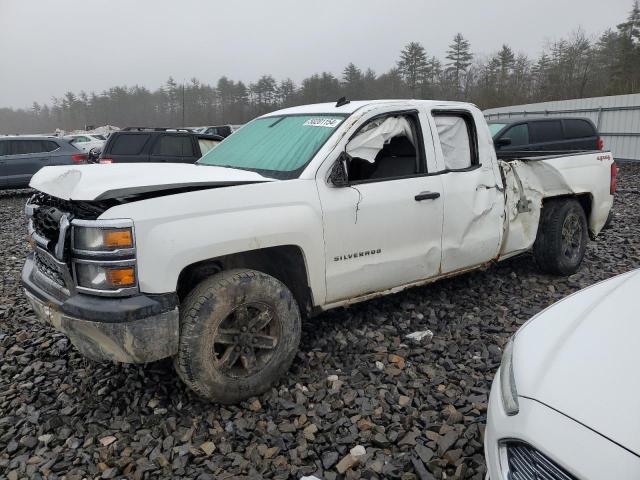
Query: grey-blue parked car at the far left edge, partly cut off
<point x="21" y="157"/>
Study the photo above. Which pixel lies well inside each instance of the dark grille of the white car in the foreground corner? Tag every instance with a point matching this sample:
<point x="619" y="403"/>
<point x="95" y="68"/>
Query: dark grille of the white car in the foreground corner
<point x="527" y="463"/>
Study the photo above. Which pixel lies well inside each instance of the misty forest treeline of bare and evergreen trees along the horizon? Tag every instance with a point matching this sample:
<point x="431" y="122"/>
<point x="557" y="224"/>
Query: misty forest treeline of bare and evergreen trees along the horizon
<point x="573" y="67"/>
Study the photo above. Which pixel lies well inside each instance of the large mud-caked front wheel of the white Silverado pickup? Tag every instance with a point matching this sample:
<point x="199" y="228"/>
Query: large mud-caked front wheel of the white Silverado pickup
<point x="239" y="333"/>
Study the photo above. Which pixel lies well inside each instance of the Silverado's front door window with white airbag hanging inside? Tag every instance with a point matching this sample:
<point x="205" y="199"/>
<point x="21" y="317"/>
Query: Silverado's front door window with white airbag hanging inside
<point x="385" y="148"/>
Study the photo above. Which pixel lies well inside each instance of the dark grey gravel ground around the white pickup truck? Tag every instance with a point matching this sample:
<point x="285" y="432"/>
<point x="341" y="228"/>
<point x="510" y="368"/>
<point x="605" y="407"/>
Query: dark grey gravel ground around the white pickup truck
<point x="418" y="408"/>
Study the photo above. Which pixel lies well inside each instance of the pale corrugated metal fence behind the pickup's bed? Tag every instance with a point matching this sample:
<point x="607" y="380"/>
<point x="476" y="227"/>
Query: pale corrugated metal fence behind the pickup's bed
<point x="617" y="119"/>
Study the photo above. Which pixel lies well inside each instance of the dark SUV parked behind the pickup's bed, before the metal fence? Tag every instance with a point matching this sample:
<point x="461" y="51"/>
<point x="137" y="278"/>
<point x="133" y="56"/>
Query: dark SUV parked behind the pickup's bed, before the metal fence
<point x="544" y="135"/>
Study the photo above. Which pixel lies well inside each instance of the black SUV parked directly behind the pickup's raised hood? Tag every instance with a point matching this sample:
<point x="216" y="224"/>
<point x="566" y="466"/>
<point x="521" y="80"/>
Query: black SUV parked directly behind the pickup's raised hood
<point x="143" y="144"/>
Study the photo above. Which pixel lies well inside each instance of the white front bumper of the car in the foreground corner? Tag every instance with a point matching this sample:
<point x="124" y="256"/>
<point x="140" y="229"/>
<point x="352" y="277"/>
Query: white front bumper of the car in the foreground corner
<point x="580" y="451"/>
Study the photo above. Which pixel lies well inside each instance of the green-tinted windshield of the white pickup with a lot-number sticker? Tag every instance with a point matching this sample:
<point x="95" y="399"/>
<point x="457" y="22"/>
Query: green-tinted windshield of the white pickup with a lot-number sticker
<point x="279" y="146"/>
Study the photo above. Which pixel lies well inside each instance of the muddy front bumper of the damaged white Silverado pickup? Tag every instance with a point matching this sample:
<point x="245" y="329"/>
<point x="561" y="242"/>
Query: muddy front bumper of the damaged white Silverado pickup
<point x="137" y="329"/>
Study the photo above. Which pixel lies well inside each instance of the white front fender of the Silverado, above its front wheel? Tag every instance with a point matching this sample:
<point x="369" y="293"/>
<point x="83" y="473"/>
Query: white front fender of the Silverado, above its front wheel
<point x="175" y="231"/>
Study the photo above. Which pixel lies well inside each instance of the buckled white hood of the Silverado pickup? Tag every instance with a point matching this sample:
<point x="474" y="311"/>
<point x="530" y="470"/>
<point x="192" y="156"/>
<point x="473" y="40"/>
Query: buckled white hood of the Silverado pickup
<point x="103" y="182"/>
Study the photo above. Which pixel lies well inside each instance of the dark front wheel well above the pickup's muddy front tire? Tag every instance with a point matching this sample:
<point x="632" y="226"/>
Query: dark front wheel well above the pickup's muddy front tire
<point x="285" y="262"/>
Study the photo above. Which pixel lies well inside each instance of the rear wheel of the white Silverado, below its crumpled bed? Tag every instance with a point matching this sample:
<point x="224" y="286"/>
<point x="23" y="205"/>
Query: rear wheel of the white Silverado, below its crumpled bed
<point x="562" y="237"/>
